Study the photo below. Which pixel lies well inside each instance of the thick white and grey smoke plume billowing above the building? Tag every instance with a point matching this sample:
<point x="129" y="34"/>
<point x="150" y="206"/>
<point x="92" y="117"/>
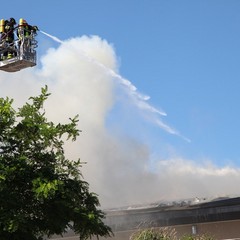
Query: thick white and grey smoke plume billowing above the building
<point x="82" y="76"/>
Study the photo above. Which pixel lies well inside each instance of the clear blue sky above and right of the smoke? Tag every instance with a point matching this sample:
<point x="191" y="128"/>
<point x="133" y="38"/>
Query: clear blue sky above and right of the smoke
<point x="184" y="54"/>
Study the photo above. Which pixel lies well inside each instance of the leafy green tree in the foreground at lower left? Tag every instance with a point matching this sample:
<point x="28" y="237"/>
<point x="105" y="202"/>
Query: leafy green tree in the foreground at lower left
<point x="41" y="192"/>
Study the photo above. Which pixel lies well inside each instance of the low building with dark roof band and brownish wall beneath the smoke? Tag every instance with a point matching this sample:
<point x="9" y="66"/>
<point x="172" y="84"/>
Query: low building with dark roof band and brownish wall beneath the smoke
<point x="219" y="218"/>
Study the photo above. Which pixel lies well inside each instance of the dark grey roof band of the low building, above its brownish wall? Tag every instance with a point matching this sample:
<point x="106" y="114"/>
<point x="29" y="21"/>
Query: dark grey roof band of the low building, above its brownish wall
<point x="174" y="213"/>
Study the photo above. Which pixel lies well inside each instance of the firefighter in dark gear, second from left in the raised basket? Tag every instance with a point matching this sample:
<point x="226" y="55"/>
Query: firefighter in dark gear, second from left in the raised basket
<point x="9" y="38"/>
